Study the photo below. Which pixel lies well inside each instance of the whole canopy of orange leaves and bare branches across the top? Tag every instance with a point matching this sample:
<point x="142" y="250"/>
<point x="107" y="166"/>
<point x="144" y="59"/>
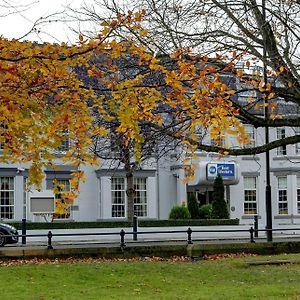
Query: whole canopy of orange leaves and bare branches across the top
<point x="120" y="84"/>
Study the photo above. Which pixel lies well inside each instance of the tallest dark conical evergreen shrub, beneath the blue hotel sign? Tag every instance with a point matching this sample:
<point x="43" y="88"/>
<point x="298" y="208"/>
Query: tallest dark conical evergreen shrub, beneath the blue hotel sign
<point x="219" y="205"/>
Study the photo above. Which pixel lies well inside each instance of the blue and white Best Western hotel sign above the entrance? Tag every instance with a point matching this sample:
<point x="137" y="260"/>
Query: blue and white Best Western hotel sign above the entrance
<point x="227" y="170"/>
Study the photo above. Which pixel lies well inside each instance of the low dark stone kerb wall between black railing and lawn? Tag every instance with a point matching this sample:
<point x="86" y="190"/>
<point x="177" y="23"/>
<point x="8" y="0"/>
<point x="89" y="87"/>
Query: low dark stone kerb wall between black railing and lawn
<point x="159" y="250"/>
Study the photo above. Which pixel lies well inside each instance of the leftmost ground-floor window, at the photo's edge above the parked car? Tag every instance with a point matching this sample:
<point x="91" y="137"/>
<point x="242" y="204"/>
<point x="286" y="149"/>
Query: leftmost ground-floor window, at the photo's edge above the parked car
<point x="7" y="196"/>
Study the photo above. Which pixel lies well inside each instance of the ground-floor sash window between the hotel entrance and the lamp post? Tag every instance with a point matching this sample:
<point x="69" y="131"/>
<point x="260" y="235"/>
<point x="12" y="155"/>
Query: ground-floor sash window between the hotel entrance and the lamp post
<point x="250" y="199"/>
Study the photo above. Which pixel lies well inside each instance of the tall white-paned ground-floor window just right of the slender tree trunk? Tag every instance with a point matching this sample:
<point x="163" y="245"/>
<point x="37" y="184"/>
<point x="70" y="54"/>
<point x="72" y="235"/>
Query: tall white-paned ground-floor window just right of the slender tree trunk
<point x="140" y="199"/>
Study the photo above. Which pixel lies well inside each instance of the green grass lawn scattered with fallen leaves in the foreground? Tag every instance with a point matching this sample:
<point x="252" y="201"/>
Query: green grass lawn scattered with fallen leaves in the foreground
<point x="230" y="278"/>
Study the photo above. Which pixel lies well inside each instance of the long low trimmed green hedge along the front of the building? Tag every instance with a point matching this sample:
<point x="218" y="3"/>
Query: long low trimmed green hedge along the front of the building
<point x="123" y="224"/>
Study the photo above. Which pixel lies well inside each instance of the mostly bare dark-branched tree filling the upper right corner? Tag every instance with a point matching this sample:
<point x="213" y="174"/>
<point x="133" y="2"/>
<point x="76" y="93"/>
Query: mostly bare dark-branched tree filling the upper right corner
<point x="243" y="34"/>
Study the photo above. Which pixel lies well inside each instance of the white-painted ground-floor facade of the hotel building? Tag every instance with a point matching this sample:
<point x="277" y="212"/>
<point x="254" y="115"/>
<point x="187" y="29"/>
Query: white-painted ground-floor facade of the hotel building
<point x="161" y="186"/>
